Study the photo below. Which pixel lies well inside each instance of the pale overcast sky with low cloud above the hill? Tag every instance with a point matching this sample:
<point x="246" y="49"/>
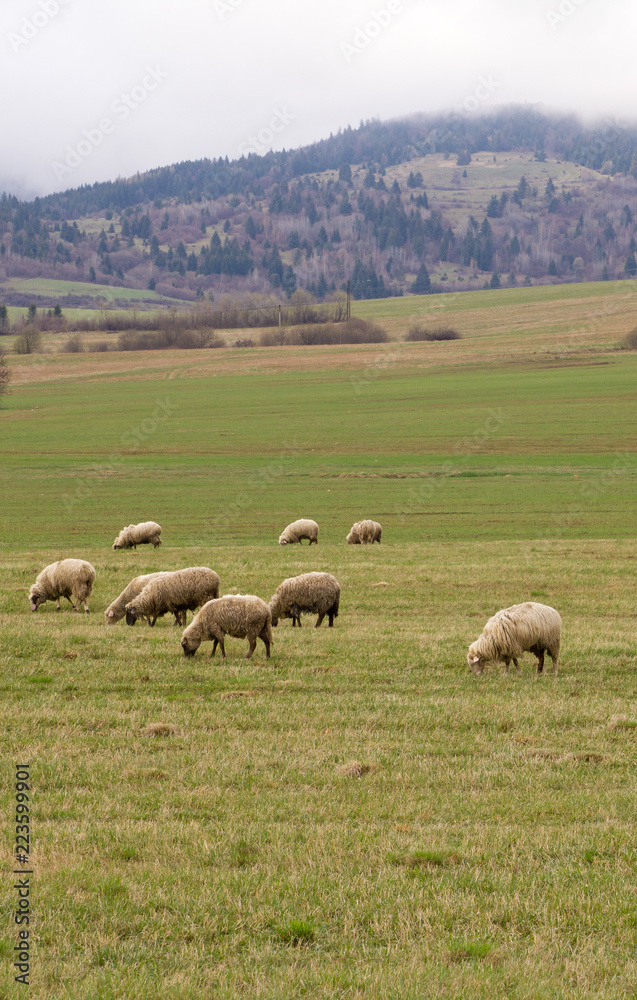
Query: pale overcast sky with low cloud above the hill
<point x="95" y="89"/>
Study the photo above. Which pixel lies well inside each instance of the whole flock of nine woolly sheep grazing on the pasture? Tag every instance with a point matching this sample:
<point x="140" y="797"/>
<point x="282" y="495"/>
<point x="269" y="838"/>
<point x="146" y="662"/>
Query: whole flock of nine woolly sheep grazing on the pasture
<point x="531" y="627"/>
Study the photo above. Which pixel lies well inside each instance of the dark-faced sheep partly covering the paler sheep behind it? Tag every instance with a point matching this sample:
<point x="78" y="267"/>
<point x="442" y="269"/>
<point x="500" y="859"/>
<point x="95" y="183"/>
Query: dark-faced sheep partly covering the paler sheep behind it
<point x="178" y="592"/>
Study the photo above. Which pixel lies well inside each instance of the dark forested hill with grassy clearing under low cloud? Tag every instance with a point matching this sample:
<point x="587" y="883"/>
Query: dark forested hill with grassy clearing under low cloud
<point x="395" y="206"/>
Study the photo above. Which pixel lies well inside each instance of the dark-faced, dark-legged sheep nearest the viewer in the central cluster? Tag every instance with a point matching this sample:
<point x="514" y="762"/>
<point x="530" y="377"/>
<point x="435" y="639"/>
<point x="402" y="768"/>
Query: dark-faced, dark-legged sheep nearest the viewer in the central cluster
<point x="238" y="615"/>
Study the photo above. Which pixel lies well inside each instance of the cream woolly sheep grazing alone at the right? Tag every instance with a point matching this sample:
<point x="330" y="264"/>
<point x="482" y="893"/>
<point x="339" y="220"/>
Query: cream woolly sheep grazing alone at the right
<point x="533" y="627"/>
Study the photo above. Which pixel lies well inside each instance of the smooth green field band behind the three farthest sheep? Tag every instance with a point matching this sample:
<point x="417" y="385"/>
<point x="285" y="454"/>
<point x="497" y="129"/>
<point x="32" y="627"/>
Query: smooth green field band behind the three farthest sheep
<point x="451" y="453"/>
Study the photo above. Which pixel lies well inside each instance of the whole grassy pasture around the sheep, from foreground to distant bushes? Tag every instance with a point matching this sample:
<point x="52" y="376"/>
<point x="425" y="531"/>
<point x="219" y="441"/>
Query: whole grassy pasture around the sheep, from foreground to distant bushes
<point x="358" y="817"/>
